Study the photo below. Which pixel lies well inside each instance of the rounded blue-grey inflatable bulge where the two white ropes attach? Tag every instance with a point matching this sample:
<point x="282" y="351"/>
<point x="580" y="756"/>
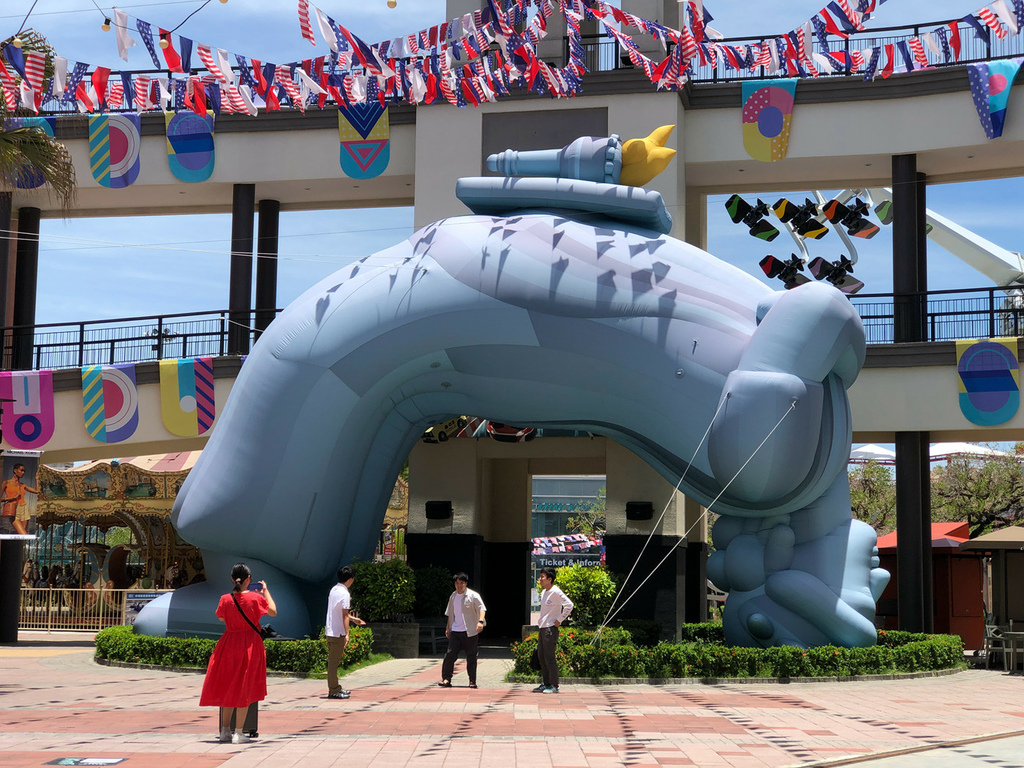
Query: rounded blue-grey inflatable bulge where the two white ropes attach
<point x="760" y="404"/>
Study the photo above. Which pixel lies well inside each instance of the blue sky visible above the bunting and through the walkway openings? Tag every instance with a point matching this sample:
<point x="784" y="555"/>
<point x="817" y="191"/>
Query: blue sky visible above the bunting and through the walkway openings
<point x="93" y="269"/>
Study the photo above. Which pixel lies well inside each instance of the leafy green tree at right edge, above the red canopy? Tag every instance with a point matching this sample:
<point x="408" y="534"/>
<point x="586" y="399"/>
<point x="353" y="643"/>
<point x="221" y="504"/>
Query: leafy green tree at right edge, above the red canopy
<point x="987" y="493"/>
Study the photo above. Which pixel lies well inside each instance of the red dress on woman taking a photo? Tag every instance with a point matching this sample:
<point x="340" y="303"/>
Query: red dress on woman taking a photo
<point x="237" y="674"/>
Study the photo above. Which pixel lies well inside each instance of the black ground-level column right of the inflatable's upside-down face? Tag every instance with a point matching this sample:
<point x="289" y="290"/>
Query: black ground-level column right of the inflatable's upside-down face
<point x="914" y="524"/>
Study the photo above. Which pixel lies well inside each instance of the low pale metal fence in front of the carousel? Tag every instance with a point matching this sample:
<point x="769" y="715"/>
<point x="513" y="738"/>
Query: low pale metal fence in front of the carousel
<point x="55" y="610"/>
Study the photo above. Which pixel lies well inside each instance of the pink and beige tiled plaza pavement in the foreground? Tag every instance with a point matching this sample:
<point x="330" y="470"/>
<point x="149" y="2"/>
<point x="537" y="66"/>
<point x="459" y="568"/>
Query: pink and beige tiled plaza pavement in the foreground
<point x="56" y="703"/>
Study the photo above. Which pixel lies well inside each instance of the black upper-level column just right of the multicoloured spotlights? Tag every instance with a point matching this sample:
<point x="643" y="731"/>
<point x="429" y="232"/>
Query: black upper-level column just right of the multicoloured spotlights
<point x="910" y="278"/>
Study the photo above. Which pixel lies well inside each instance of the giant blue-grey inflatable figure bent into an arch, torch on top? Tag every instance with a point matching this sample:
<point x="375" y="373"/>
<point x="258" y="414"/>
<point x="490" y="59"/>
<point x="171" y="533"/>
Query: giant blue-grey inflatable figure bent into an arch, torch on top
<point x="561" y="304"/>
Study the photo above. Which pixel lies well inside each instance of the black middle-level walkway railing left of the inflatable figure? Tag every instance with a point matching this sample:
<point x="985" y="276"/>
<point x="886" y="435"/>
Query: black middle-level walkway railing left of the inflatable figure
<point x="57" y="346"/>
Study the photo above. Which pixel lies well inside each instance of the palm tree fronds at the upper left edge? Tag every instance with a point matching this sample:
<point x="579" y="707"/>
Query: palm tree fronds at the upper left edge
<point x="32" y="147"/>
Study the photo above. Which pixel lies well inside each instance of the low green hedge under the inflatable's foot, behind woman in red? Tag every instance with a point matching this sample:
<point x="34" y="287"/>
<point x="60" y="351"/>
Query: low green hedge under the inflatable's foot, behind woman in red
<point x="300" y="657"/>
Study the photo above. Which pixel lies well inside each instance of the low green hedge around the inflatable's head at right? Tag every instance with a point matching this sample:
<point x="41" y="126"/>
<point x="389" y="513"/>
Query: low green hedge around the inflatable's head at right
<point x="897" y="653"/>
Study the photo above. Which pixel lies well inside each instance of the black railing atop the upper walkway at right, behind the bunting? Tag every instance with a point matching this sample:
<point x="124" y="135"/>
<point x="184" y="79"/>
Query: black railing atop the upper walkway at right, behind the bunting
<point x="603" y="54"/>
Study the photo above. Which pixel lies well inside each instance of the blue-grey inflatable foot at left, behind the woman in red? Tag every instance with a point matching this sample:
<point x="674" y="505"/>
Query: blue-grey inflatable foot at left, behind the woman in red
<point x="191" y="612"/>
